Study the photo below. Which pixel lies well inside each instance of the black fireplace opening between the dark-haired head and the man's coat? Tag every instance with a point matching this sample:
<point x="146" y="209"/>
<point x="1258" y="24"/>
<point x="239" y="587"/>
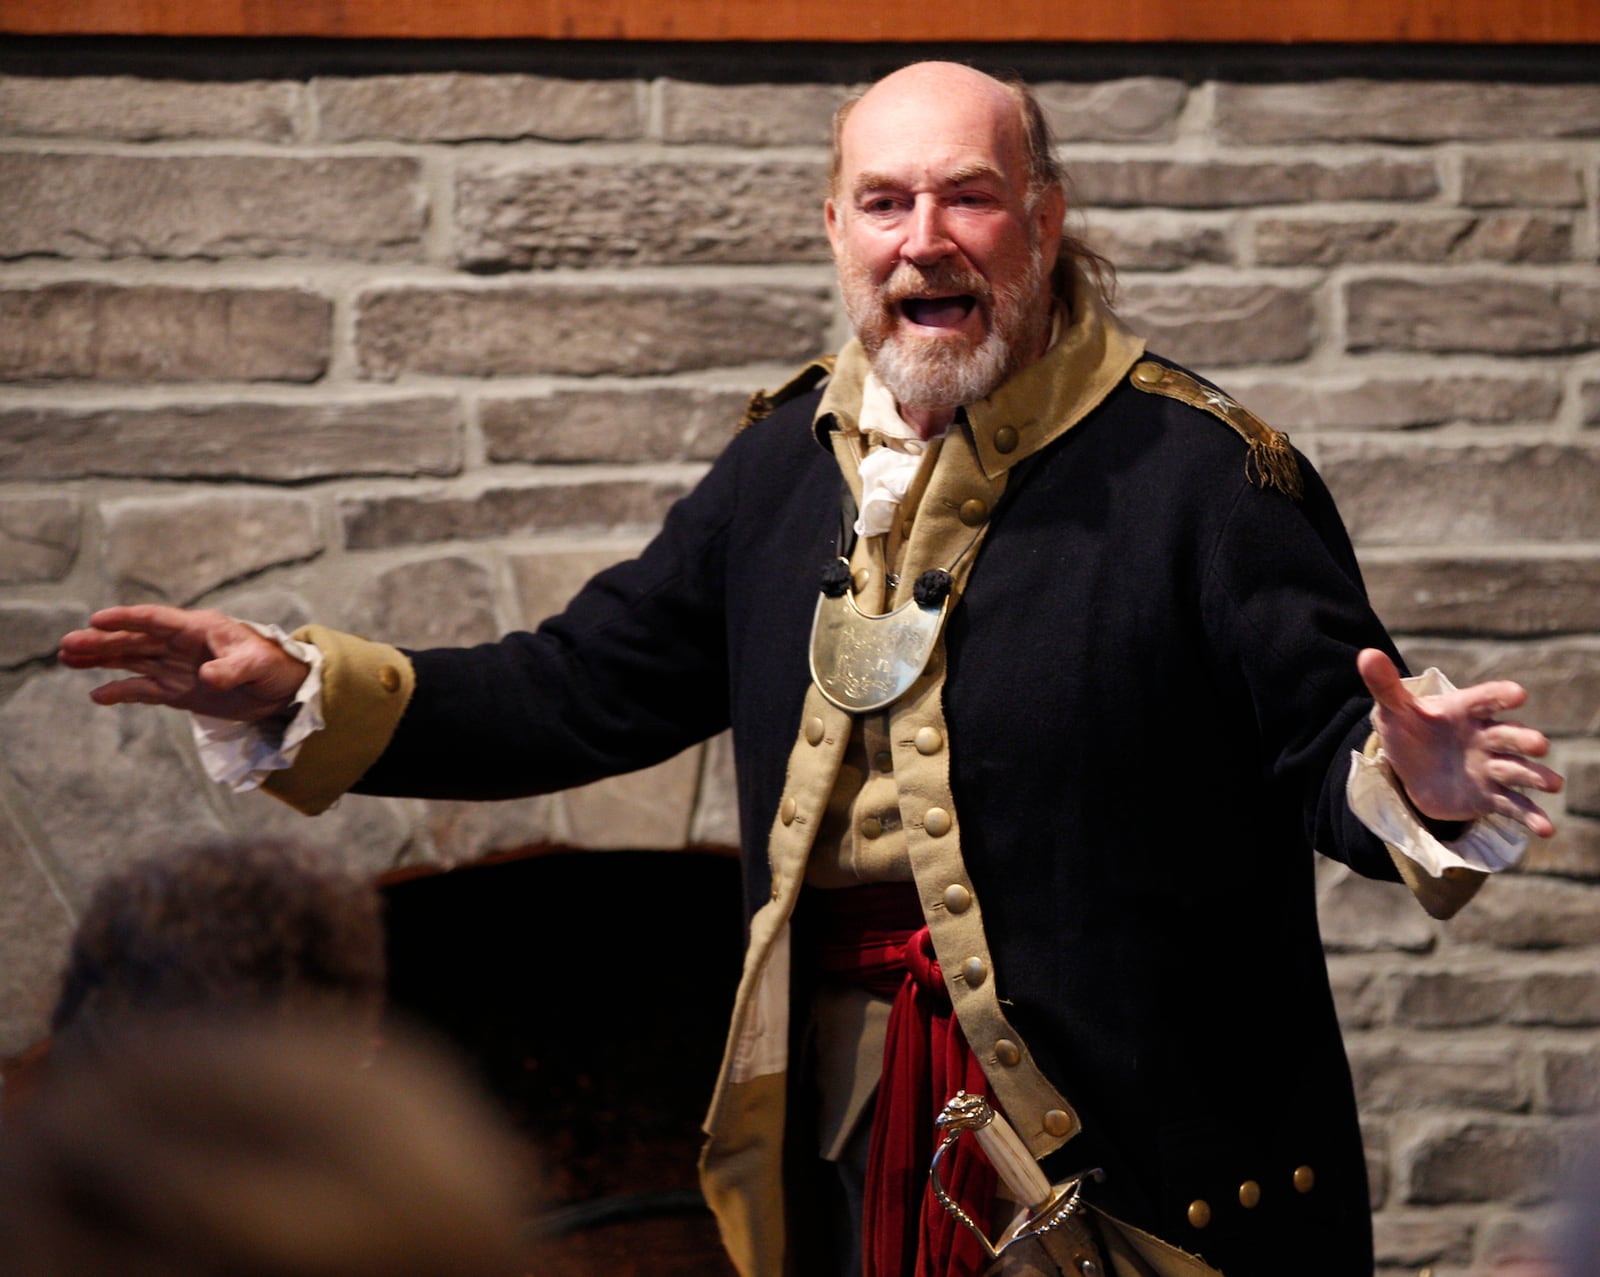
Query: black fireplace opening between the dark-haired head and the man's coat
<point x="591" y="993"/>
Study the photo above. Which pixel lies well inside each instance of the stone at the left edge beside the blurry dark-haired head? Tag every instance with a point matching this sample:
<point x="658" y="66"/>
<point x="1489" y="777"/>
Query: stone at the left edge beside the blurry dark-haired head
<point x="36" y="931"/>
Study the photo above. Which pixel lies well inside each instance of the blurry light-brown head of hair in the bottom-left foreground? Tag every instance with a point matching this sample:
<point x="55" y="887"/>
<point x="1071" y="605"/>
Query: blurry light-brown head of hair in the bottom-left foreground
<point x="257" y="1151"/>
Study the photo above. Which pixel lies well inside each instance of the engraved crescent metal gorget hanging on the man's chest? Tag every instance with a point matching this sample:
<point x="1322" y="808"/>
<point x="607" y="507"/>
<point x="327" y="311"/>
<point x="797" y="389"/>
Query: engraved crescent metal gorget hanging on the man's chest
<point x="865" y="663"/>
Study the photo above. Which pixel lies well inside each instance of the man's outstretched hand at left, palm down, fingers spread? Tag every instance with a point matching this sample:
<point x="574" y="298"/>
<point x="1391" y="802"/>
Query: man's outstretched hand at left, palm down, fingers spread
<point x="201" y="662"/>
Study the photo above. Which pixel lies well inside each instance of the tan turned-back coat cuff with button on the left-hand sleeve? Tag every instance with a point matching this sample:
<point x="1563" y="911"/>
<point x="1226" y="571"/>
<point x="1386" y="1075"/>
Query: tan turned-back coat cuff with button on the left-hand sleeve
<point x="366" y="691"/>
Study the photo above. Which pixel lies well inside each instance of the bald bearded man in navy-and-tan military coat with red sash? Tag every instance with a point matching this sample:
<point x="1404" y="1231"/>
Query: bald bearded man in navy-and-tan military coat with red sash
<point x="1046" y="670"/>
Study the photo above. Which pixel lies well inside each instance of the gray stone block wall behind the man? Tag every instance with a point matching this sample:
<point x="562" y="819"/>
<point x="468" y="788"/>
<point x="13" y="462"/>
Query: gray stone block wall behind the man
<point x="417" y="351"/>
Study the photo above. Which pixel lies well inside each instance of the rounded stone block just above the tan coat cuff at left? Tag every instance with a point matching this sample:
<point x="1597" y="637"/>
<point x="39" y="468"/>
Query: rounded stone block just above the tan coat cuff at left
<point x="428" y="604"/>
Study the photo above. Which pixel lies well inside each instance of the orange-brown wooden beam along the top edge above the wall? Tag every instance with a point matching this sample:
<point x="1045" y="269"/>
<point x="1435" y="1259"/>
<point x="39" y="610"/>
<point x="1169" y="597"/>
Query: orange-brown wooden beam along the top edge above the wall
<point x="967" y="22"/>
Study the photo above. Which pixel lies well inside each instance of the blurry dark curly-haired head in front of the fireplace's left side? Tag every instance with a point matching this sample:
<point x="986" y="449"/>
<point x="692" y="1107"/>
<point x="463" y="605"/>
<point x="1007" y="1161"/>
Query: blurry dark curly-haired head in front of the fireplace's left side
<point x="217" y="931"/>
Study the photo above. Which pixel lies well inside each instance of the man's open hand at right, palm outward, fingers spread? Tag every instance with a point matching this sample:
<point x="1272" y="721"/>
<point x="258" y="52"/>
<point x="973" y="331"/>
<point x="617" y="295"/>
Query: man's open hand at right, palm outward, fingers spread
<point x="1454" y="758"/>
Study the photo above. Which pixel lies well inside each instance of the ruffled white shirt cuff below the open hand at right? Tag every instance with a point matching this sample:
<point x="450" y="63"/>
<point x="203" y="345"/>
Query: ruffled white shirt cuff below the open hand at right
<point x="1489" y="844"/>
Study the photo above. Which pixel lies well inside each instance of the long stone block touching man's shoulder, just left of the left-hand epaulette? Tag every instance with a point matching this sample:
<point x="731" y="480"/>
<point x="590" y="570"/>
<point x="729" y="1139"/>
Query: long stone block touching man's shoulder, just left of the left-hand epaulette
<point x="654" y="423"/>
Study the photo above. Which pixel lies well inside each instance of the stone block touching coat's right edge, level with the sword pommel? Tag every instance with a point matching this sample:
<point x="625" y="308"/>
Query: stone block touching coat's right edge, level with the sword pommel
<point x="1447" y="1076"/>
